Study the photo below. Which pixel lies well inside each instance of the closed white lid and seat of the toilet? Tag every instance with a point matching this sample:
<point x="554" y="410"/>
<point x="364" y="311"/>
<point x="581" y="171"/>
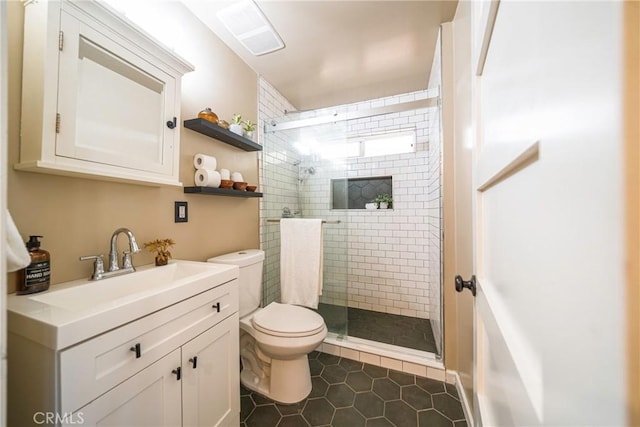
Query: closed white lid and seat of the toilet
<point x="287" y="320"/>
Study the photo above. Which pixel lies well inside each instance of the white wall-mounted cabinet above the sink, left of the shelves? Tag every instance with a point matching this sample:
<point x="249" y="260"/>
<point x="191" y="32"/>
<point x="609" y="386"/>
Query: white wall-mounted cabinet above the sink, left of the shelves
<point x="100" y="98"/>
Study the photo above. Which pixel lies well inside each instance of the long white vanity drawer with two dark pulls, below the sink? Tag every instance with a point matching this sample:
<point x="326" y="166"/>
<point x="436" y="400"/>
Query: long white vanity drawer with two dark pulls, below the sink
<point x="97" y="365"/>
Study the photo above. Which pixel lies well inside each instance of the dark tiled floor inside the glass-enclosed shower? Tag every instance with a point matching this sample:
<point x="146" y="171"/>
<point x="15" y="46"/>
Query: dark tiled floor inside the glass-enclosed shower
<point x="404" y="331"/>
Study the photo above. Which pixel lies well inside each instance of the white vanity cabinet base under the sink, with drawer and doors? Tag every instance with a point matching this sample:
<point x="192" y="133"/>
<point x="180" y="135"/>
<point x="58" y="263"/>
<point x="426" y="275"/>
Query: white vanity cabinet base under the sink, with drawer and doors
<point x="175" y="366"/>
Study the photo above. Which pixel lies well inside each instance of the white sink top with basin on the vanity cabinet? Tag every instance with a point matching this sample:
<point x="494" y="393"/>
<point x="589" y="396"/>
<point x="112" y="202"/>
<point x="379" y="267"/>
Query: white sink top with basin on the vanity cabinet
<point x="74" y="311"/>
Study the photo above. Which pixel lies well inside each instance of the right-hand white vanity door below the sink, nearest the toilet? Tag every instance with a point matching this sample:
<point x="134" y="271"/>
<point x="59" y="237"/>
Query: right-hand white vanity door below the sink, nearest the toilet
<point x="211" y="389"/>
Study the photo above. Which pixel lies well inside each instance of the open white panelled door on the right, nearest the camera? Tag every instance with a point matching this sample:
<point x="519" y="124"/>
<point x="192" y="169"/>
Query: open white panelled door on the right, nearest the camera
<point x="549" y="226"/>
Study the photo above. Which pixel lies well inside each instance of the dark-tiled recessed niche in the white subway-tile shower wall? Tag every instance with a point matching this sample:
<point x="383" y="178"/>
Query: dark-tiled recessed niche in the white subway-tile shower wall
<point x="355" y="193"/>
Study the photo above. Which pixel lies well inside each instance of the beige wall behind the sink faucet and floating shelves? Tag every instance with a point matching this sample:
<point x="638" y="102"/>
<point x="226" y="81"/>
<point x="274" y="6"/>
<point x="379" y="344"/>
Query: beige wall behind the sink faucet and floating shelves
<point x="77" y="216"/>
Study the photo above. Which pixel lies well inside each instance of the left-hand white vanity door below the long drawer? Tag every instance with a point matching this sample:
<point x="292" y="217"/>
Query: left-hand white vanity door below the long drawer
<point x="149" y="398"/>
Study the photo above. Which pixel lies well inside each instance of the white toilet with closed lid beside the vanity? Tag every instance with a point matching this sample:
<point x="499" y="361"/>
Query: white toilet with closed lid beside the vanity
<point x="275" y="340"/>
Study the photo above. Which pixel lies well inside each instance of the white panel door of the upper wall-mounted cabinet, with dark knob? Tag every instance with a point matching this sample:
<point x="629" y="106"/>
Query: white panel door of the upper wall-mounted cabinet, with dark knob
<point x="113" y="104"/>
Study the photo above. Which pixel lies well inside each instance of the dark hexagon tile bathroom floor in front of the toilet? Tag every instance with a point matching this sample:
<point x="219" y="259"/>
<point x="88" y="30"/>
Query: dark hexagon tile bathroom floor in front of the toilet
<point x="347" y="393"/>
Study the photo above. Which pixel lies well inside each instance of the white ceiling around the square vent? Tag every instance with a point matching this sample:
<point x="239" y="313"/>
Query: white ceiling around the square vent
<point x="338" y="51"/>
